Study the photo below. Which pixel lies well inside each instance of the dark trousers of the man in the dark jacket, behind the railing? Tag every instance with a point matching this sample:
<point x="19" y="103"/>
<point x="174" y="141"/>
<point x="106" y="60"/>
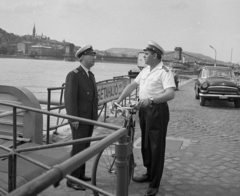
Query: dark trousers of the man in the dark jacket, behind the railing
<point x="82" y="131"/>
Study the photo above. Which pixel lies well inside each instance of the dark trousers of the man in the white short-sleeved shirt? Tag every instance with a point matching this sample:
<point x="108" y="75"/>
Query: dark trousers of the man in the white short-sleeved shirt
<point x="153" y="122"/>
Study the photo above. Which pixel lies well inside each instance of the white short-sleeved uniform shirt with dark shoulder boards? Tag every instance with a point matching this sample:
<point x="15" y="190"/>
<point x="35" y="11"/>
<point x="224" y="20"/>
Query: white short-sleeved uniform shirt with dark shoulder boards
<point x="151" y="83"/>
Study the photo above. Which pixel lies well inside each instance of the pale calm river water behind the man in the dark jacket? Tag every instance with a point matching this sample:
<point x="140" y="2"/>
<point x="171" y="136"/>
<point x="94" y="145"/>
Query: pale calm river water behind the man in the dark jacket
<point x="38" y="75"/>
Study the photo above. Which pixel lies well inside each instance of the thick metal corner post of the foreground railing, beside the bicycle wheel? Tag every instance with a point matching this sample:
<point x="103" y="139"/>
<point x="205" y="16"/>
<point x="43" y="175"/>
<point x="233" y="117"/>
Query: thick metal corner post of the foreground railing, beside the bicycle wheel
<point x="122" y="167"/>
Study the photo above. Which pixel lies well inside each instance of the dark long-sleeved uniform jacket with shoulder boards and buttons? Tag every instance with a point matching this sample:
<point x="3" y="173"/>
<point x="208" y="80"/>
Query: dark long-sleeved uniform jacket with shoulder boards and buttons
<point x="81" y="97"/>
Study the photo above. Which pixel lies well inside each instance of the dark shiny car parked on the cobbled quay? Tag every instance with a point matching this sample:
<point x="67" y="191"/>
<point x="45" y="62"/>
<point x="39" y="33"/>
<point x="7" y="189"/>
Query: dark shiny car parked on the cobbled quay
<point x="217" y="83"/>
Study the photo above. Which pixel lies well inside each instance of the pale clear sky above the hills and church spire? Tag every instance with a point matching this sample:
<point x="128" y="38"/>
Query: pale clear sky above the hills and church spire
<point x="192" y="25"/>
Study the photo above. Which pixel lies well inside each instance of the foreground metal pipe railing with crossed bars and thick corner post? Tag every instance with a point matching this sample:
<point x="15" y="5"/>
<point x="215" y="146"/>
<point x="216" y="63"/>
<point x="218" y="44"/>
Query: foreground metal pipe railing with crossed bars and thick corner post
<point x="56" y="173"/>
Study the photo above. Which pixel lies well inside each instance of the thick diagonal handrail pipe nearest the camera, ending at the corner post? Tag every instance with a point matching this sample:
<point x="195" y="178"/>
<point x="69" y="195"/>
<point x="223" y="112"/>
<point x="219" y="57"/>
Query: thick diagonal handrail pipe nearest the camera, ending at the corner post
<point x="58" y="172"/>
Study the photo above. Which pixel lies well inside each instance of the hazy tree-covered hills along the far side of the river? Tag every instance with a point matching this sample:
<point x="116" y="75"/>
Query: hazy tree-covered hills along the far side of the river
<point x="9" y="41"/>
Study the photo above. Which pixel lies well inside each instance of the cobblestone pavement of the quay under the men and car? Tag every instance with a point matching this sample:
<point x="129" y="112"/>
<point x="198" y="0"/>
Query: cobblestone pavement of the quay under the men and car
<point x="209" y="165"/>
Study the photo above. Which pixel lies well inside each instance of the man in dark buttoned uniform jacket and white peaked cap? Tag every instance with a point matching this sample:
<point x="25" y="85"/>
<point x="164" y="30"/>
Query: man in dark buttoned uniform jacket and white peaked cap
<point x="81" y="100"/>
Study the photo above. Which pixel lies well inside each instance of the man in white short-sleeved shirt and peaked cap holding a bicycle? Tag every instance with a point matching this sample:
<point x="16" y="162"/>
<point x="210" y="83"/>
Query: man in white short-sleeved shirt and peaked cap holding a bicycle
<point x="156" y="87"/>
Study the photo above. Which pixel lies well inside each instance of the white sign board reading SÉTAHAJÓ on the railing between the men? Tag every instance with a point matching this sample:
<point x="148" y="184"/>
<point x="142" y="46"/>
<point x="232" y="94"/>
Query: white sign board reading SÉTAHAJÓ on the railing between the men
<point x="111" y="90"/>
